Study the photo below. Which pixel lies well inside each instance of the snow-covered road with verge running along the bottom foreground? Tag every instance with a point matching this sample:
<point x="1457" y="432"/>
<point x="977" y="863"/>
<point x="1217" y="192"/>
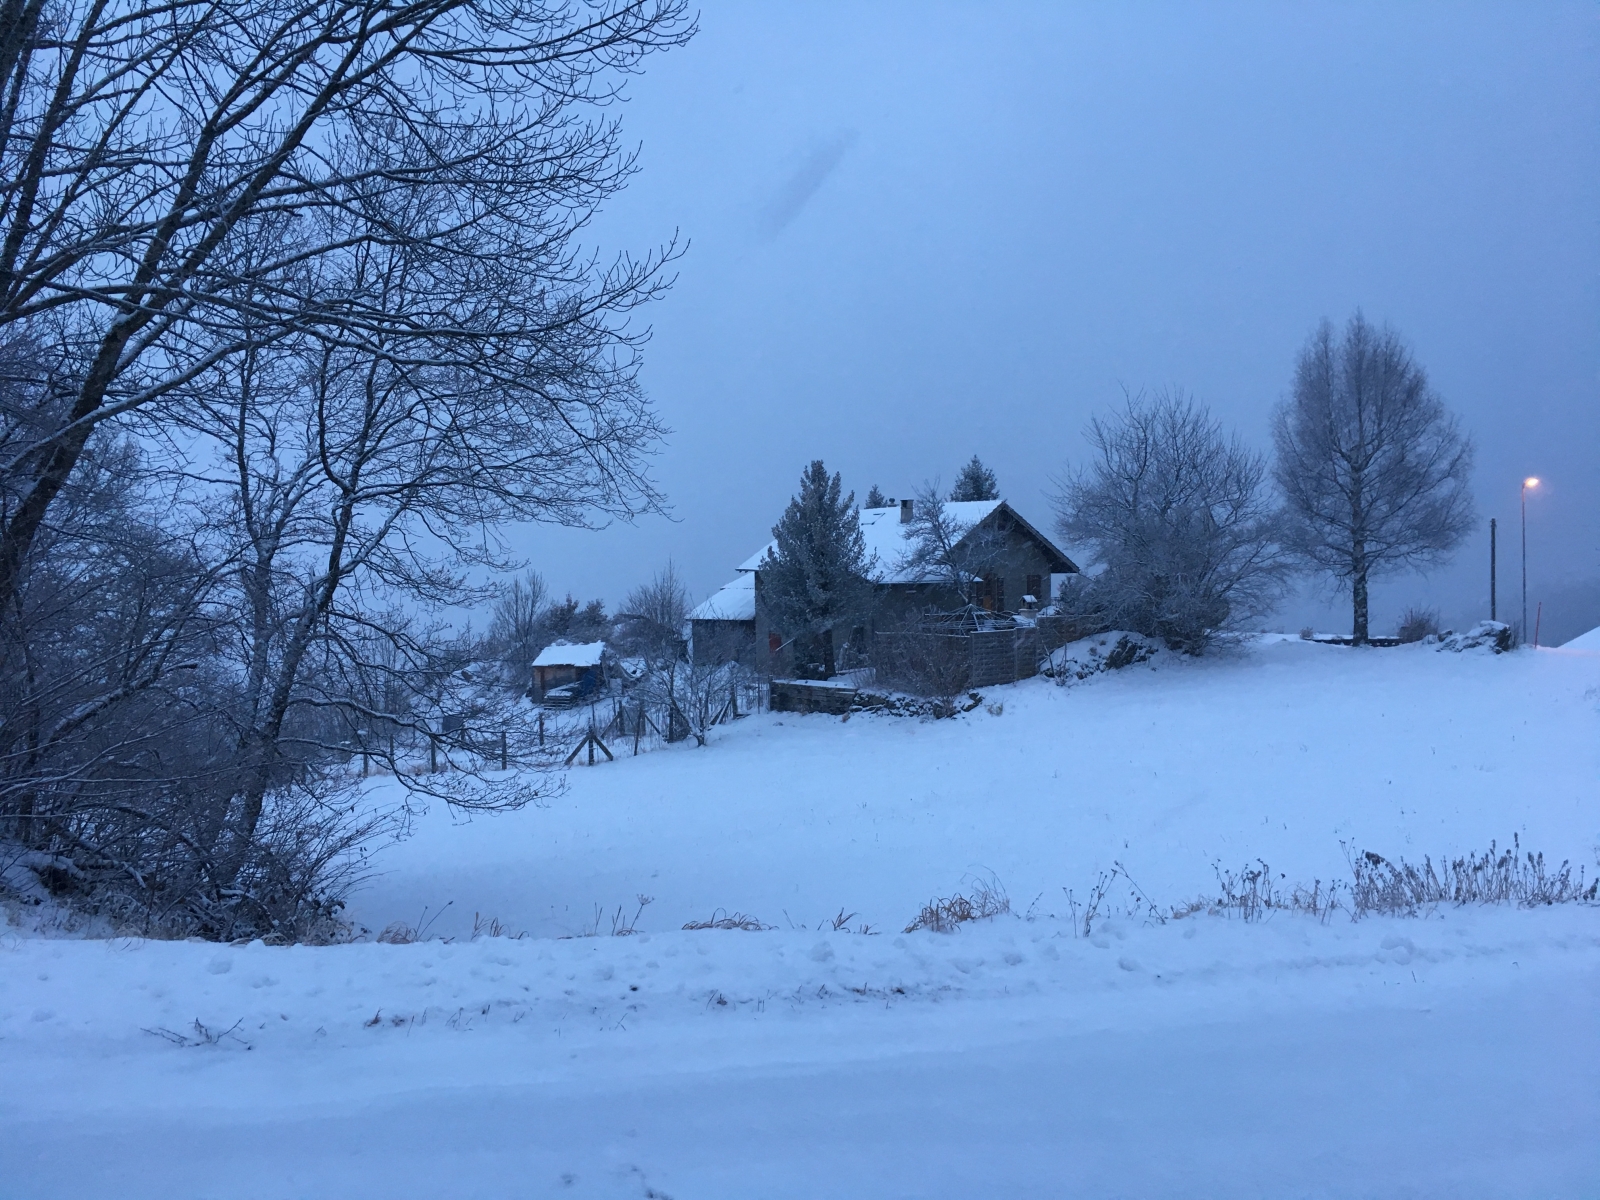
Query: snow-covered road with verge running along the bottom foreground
<point x="1436" y="1057"/>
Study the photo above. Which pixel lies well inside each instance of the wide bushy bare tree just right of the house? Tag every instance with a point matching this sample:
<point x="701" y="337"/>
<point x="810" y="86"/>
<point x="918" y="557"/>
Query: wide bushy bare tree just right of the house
<point x="1178" y="519"/>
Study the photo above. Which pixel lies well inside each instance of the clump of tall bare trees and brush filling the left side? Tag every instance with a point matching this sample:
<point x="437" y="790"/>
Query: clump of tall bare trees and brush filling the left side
<point x="324" y="265"/>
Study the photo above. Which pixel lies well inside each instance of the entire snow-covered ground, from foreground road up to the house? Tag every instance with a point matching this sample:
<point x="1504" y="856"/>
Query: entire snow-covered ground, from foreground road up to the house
<point x="1447" y="1055"/>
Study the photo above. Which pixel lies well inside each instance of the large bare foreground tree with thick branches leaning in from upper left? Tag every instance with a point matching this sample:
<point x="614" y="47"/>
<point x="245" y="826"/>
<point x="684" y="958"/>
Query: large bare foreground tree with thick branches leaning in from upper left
<point x="178" y="182"/>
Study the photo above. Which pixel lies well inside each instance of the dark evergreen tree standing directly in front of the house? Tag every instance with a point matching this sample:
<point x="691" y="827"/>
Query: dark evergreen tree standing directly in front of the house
<point x="815" y="580"/>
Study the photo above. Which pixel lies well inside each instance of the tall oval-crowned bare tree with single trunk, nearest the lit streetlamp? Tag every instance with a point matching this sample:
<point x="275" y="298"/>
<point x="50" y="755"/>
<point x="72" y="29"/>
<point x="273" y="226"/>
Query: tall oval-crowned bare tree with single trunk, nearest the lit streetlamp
<point x="1374" y="470"/>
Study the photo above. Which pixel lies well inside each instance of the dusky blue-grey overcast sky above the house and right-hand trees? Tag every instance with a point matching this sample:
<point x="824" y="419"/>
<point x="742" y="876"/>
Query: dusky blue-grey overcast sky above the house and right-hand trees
<point x="918" y="233"/>
